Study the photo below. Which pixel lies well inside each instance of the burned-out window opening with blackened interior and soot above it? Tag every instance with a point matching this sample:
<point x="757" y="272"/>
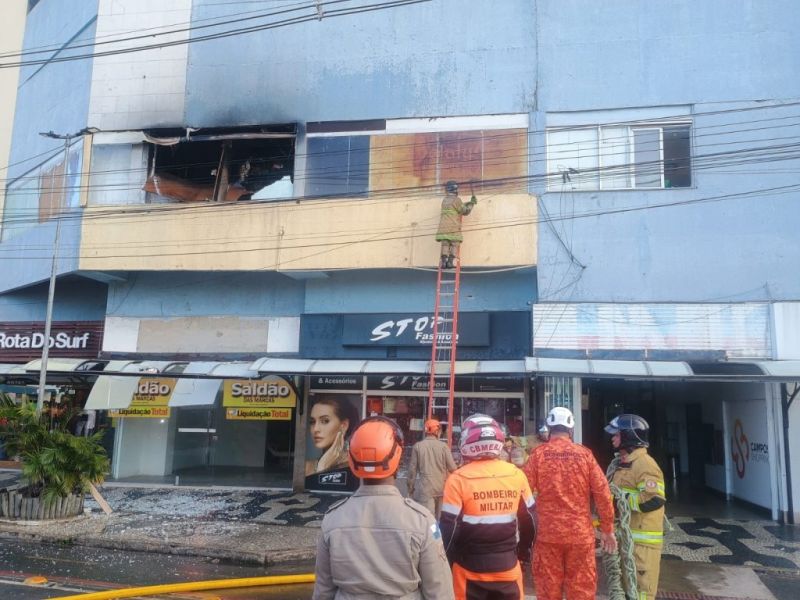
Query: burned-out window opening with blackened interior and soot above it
<point x="223" y="165"/>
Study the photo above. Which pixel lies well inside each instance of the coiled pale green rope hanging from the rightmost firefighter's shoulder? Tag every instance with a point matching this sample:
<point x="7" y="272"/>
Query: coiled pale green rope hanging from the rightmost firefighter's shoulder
<point x="620" y="567"/>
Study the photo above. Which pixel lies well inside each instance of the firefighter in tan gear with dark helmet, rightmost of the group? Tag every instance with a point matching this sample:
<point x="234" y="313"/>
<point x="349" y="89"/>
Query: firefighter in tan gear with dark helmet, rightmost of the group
<point x="642" y="481"/>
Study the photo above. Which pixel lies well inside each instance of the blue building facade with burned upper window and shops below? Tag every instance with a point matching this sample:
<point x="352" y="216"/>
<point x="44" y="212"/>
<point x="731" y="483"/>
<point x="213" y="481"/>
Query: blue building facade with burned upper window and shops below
<point x="252" y="193"/>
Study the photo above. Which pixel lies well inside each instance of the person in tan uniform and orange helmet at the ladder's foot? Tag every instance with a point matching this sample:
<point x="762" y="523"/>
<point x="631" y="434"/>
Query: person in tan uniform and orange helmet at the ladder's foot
<point x="432" y="461"/>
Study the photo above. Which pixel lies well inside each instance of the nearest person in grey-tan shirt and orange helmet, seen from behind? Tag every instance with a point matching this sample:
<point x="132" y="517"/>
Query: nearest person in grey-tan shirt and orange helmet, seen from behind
<point x="377" y="544"/>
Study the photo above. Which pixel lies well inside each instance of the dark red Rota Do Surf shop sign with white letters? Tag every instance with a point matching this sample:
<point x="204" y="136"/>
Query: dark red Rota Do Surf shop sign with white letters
<point x="24" y="340"/>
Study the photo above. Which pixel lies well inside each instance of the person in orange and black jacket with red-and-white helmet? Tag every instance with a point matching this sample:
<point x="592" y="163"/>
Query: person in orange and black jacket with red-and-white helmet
<point x="487" y="517"/>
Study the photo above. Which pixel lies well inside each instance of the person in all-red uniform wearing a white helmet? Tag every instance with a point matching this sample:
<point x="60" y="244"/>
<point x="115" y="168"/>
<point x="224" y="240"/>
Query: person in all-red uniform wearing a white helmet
<point x="565" y="478"/>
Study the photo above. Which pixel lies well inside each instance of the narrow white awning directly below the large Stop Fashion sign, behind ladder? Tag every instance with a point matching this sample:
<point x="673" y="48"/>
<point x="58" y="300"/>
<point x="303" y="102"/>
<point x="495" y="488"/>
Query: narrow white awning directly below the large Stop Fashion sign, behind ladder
<point x="389" y="367"/>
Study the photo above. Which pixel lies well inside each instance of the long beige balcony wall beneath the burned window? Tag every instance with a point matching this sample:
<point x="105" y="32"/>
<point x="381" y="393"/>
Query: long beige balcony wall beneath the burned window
<point x="307" y="235"/>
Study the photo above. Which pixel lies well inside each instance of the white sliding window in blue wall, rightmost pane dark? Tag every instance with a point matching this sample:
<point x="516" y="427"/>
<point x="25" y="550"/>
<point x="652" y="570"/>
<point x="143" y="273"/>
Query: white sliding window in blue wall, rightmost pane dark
<point x="613" y="157"/>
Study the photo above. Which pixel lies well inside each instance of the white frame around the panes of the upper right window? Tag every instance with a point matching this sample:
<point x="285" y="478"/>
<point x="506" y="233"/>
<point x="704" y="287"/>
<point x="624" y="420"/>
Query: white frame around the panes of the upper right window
<point x="553" y="178"/>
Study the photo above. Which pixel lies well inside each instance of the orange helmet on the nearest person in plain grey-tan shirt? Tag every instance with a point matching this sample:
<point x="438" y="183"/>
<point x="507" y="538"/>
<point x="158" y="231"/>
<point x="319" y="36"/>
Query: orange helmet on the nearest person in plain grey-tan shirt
<point x="375" y="448"/>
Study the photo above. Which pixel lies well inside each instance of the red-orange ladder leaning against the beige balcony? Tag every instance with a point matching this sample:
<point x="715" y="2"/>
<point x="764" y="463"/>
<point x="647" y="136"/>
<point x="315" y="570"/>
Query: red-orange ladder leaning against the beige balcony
<point x="441" y="387"/>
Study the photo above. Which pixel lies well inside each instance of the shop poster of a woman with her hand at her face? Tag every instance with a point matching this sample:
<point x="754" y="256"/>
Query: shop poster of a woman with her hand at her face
<point x="331" y="420"/>
